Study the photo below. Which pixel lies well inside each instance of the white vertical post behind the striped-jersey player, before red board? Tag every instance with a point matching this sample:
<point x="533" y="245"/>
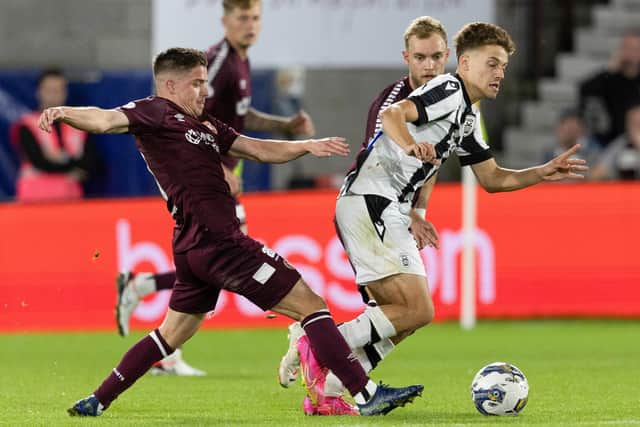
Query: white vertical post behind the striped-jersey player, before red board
<point x="468" y="288"/>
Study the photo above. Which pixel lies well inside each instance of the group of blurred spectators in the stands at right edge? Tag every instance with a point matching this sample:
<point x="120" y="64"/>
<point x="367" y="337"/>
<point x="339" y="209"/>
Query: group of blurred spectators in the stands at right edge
<point x="606" y="121"/>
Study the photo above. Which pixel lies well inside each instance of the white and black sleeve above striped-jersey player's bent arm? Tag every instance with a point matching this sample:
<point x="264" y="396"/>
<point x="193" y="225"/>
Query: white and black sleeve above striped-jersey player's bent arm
<point x="434" y="102"/>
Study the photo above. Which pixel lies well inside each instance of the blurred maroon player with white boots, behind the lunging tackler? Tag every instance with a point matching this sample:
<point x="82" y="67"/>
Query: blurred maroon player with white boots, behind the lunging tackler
<point x="229" y="77"/>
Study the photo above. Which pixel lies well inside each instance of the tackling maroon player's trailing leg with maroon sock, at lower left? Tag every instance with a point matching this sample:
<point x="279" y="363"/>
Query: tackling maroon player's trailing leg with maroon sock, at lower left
<point x="176" y="329"/>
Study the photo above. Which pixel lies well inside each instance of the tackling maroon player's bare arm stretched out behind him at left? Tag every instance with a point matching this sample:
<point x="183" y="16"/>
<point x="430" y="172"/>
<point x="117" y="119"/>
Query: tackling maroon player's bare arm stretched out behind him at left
<point x="89" y="119"/>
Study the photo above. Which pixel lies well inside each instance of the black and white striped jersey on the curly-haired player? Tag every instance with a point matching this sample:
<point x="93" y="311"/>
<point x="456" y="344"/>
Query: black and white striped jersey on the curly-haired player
<point x="446" y="118"/>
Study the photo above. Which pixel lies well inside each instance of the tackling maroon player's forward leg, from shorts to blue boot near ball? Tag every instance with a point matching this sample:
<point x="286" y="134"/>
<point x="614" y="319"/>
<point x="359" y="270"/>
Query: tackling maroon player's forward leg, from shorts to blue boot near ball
<point x="248" y="268"/>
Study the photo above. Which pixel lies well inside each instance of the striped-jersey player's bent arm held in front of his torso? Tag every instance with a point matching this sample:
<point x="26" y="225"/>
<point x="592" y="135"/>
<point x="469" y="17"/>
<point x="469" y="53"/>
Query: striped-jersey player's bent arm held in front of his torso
<point x="394" y="123"/>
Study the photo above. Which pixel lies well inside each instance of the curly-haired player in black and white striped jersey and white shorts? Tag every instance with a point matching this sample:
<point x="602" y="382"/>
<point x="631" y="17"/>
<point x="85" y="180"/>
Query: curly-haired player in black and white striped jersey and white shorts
<point x="373" y="209"/>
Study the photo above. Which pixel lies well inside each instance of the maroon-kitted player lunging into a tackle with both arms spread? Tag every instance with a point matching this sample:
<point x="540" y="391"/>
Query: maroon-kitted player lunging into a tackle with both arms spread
<point x="182" y="146"/>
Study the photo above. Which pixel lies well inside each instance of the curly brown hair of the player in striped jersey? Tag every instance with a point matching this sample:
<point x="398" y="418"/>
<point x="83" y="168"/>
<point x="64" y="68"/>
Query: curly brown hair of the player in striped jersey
<point x="478" y="34"/>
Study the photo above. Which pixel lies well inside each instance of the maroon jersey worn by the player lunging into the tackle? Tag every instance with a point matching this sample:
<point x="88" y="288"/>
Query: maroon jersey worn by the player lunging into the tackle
<point x="184" y="155"/>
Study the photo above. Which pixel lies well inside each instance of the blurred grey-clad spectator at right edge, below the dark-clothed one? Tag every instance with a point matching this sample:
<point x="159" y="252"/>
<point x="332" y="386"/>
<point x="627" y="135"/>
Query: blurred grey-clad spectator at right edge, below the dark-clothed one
<point x="621" y="159"/>
